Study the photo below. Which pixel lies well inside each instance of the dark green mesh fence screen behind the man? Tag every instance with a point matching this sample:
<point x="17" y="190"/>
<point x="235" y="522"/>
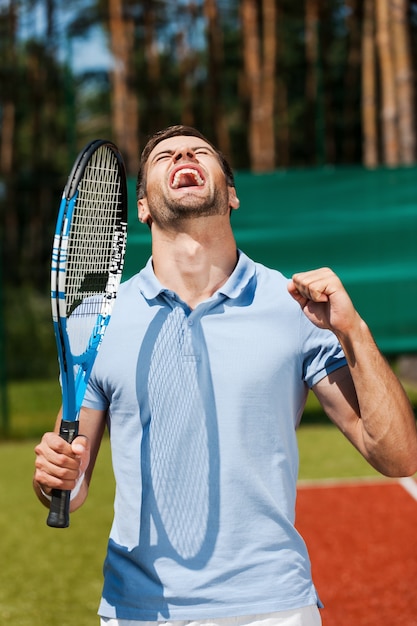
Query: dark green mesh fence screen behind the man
<point x="362" y="224"/>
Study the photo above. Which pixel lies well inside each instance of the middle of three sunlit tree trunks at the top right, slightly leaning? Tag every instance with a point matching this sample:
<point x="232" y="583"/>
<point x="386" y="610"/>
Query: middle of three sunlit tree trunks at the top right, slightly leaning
<point x="388" y="87"/>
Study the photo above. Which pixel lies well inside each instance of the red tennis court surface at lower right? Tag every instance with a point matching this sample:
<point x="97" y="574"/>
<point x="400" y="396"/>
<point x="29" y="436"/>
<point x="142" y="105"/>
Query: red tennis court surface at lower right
<point x="362" y="539"/>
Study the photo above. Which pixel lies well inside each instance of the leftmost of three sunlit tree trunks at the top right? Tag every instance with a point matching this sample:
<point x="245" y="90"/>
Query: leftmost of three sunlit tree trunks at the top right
<point x="369" y="99"/>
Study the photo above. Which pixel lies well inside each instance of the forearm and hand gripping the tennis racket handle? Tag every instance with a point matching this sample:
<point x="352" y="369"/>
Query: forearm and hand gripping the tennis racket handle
<point x="59" y="465"/>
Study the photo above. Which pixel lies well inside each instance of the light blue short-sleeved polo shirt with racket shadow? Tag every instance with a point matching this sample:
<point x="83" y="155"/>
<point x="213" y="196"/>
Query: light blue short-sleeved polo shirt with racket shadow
<point x="203" y="406"/>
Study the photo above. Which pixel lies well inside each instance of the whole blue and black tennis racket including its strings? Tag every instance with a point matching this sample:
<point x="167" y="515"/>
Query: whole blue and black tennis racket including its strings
<point x="87" y="263"/>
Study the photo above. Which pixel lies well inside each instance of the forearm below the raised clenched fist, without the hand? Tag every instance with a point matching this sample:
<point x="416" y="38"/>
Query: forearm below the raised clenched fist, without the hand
<point x="387" y="423"/>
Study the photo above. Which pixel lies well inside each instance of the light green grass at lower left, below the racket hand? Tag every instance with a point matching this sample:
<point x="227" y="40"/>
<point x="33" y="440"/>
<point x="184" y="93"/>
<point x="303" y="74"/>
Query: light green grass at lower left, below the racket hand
<point x="50" y="576"/>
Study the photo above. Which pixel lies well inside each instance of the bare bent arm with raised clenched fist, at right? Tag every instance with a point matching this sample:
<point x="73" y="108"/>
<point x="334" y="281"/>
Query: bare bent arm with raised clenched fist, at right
<point x="365" y="400"/>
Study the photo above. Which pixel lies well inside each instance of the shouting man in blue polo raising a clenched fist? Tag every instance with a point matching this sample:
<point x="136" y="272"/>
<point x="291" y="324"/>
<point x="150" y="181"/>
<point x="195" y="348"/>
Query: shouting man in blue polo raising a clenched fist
<point x="202" y="379"/>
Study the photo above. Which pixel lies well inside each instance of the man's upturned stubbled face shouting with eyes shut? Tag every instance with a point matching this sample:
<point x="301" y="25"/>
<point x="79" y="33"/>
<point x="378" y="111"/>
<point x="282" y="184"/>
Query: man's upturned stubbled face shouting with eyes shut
<point x="184" y="180"/>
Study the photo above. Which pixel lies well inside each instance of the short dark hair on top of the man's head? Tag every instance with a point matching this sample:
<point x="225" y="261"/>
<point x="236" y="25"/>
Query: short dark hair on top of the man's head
<point x="176" y="131"/>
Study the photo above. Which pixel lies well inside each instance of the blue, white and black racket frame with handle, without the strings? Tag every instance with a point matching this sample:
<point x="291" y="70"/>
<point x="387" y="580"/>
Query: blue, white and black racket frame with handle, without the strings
<point x="75" y="371"/>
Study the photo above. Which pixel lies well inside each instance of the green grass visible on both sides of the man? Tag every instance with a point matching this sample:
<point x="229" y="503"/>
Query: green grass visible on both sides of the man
<point x="50" y="576"/>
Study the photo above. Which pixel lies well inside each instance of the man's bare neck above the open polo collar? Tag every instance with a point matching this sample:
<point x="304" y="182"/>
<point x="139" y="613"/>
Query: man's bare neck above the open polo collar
<point x="194" y="263"/>
